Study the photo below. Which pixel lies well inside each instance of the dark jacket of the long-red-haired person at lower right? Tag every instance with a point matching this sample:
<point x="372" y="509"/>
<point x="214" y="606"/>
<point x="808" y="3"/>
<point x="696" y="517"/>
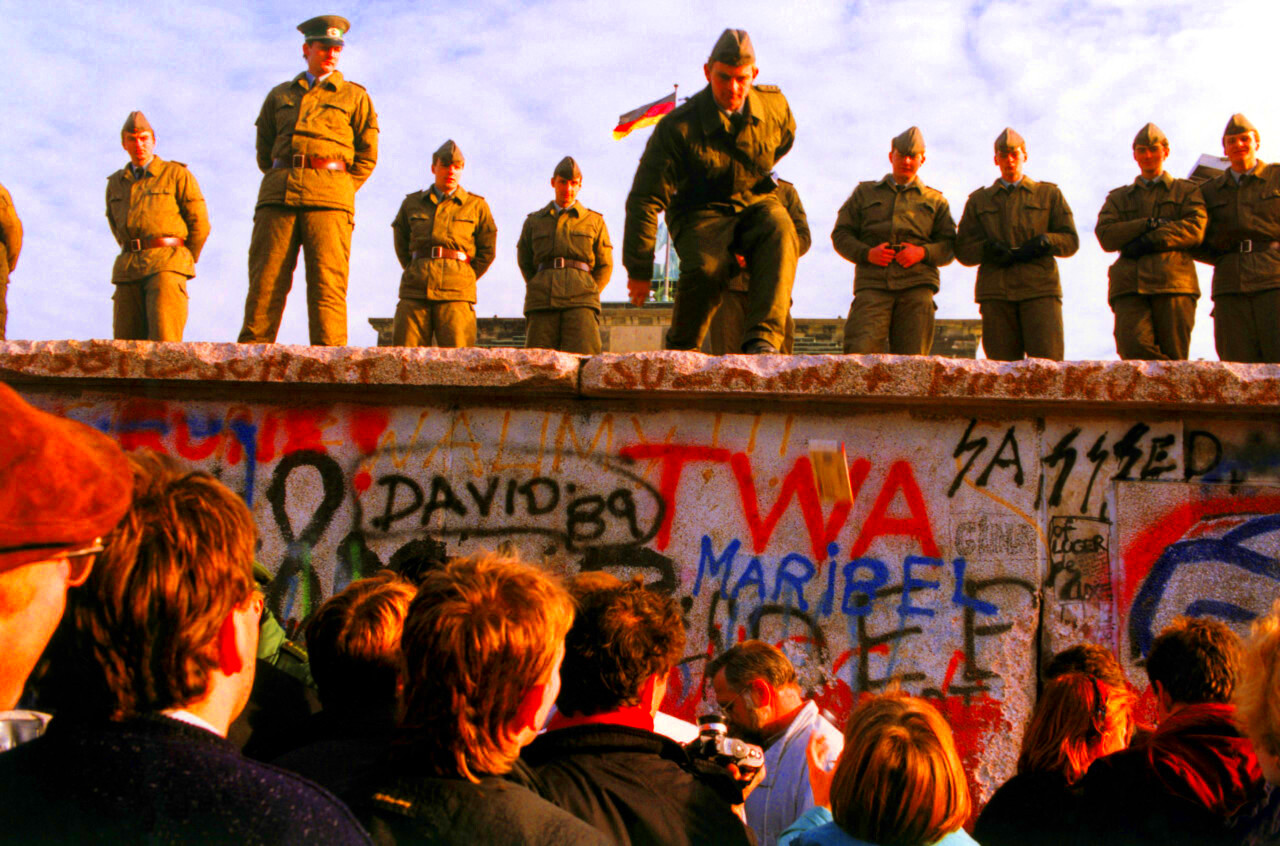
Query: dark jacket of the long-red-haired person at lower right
<point x="1030" y="808"/>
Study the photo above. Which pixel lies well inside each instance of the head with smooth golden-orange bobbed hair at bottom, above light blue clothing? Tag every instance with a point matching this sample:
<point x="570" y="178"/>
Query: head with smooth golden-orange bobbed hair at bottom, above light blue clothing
<point x="899" y="780"/>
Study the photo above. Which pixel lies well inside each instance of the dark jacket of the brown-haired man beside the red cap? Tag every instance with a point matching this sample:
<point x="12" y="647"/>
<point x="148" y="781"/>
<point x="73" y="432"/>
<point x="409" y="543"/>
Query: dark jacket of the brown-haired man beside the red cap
<point x="158" y="781"/>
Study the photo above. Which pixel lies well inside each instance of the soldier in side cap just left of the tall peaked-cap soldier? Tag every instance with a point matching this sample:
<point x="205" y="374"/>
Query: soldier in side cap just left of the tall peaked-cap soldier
<point x="158" y="217"/>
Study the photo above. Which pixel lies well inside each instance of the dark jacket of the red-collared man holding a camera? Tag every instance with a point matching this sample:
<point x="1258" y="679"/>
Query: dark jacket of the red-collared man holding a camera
<point x="637" y="786"/>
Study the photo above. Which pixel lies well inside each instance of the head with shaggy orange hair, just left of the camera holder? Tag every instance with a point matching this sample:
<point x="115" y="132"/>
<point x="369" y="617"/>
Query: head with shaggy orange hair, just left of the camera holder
<point x="483" y="646"/>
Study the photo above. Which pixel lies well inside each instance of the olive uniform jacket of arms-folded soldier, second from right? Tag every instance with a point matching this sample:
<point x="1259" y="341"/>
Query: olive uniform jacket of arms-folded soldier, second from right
<point x="1169" y="271"/>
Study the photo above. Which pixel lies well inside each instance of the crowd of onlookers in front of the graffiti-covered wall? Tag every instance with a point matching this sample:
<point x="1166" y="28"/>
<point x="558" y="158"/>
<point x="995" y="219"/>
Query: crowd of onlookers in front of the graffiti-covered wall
<point x="484" y="701"/>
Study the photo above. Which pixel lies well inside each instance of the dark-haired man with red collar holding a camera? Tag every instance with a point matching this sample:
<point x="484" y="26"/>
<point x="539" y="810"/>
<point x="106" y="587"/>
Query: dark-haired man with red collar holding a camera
<point x="601" y="758"/>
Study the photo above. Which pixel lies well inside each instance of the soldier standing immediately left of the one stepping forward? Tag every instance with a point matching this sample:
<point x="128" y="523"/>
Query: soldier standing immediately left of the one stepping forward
<point x="566" y="258"/>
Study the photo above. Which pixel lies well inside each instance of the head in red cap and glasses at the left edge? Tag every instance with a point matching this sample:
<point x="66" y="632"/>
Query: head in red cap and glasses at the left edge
<point x="63" y="487"/>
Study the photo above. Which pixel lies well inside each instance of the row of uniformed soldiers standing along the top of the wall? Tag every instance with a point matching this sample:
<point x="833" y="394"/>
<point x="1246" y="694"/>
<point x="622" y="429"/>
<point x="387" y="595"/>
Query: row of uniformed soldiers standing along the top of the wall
<point x="737" y="227"/>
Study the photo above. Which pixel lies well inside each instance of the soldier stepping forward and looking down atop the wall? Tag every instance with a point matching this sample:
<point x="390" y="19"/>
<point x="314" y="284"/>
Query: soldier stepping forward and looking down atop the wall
<point x="708" y="167"/>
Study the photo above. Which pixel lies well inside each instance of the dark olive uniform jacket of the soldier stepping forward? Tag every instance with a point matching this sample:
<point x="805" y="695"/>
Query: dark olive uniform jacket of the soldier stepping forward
<point x="693" y="162"/>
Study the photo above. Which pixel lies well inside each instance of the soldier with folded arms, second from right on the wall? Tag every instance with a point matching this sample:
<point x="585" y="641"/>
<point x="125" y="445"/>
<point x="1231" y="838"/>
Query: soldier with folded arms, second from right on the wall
<point x="1154" y="225"/>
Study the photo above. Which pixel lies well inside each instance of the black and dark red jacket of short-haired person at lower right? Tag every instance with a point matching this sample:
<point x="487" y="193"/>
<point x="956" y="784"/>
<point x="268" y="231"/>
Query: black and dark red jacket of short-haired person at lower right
<point x="1188" y="784"/>
